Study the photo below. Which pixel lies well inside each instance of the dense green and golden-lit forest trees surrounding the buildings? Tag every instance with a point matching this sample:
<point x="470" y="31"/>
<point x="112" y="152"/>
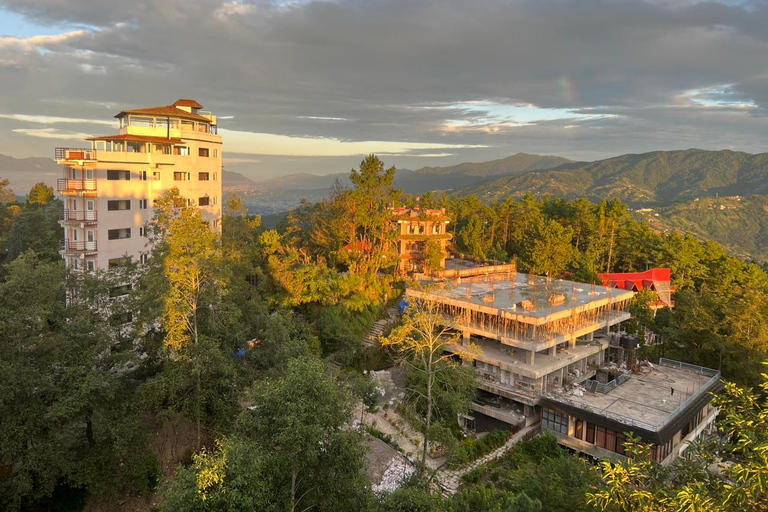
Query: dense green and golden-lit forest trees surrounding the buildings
<point x="226" y="374"/>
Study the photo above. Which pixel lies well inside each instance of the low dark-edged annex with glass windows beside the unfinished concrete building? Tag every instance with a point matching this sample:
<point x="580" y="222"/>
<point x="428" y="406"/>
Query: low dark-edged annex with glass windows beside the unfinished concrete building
<point x="665" y="405"/>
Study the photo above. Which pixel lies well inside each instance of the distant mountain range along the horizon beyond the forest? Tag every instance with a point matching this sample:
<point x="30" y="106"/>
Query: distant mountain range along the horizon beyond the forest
<point x="719" y="195"/>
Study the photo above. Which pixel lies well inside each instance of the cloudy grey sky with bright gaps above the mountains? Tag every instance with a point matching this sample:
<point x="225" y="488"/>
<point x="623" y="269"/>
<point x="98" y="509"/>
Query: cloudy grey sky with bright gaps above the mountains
<point x="313" y="86"/>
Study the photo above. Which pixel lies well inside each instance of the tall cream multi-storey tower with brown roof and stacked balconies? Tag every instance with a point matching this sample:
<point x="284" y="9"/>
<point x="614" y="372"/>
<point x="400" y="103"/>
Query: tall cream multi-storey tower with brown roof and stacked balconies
<point x="109" y="189"/>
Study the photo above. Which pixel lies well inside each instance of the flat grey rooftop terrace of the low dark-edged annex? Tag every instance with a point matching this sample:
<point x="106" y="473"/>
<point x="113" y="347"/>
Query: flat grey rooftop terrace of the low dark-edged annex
<point x="647" y="403"/>
